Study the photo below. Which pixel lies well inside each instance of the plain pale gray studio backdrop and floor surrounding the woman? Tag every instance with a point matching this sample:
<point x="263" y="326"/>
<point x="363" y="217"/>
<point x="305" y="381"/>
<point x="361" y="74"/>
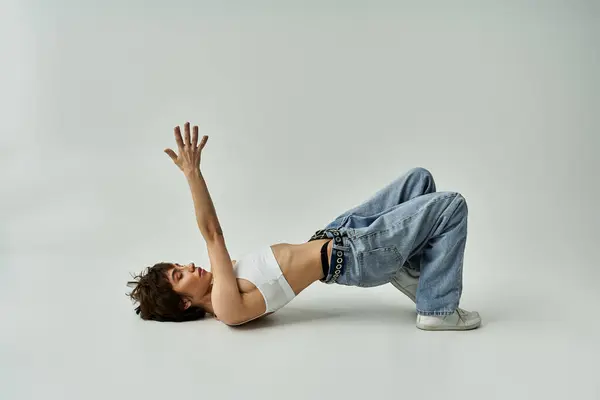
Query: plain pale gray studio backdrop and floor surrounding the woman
<point x="310" y="108"/>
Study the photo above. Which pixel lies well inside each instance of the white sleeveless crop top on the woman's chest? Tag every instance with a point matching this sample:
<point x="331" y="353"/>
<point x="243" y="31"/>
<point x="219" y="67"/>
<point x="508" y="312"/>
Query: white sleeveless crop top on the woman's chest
<point x="261" y="268"/>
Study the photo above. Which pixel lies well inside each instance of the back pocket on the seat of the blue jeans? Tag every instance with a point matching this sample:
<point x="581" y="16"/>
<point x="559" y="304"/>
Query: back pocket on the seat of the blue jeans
<point x="378" y="266"/>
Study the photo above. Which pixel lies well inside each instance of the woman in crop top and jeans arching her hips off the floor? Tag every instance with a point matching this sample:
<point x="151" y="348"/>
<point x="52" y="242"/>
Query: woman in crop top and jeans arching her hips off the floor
<point x="406" y="234"/>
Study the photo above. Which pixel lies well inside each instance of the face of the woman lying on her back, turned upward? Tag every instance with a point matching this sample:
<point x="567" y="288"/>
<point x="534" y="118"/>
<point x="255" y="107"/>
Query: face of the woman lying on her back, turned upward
<point x="191" y="282"/>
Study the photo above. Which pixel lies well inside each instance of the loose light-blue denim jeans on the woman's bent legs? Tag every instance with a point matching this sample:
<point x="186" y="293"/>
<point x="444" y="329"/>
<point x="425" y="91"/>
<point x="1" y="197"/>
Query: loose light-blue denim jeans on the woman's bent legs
<point x="405" y="224"/>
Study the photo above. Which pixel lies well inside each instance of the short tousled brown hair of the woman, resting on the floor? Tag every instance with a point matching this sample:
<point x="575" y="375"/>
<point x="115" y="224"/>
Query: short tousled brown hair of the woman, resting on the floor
<point x="157" y="299"/>
